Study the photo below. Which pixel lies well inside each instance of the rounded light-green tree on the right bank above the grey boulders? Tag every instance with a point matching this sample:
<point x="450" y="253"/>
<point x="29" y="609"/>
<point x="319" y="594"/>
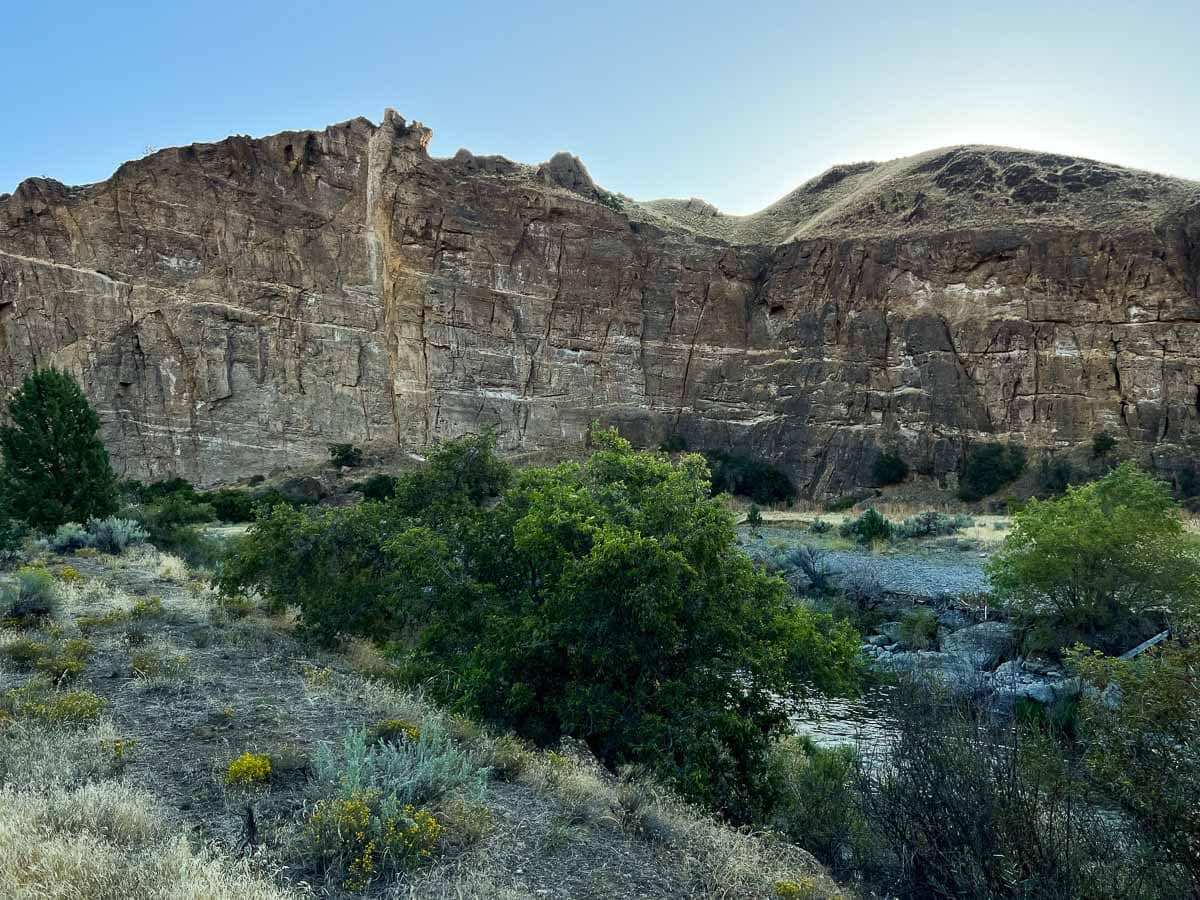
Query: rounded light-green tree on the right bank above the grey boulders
<point x="1101" y="556"/>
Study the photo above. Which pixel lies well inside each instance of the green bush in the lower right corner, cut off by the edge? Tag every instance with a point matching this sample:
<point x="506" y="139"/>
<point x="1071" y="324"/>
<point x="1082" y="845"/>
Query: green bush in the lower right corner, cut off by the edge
<point x="1143" y="746"/>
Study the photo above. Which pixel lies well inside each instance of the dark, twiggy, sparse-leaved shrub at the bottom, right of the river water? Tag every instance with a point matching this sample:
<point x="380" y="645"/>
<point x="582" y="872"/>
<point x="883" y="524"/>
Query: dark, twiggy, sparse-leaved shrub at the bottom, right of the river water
<point x="974" y="807"/>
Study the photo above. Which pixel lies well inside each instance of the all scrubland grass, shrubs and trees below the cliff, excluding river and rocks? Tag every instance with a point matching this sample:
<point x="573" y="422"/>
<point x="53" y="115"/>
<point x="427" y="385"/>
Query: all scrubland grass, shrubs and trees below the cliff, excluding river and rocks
<point x="569" y="681"/>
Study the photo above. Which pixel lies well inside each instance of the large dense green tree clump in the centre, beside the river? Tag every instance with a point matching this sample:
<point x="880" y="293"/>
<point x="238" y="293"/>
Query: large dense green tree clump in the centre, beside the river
<point x="593" y="601"/>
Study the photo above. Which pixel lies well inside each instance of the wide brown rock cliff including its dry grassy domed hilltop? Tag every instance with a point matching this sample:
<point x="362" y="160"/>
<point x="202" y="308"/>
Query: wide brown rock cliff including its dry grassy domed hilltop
<point x="237" y="308"/>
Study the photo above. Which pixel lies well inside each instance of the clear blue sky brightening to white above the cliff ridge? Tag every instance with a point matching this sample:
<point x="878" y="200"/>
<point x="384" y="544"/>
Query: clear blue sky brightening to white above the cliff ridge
<point x="736" y="103"/>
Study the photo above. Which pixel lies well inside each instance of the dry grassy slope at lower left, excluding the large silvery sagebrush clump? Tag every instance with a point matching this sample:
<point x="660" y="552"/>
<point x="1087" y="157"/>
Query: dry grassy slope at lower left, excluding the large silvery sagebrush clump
<point x="135" y="802"/>
